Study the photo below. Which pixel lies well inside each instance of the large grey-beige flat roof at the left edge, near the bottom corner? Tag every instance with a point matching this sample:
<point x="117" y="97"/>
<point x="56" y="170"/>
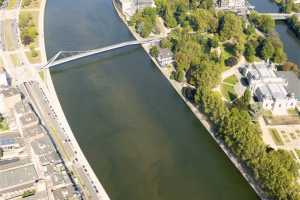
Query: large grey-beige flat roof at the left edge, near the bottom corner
<point x="17" y="176"/>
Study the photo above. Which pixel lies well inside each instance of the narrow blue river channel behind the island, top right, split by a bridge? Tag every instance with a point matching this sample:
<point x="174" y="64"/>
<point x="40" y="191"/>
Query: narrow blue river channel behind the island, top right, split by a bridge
<point x="290" y="42"/>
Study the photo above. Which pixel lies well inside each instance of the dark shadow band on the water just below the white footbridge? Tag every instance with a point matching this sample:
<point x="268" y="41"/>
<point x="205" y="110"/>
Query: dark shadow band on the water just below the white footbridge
<point x="95" y="59"/>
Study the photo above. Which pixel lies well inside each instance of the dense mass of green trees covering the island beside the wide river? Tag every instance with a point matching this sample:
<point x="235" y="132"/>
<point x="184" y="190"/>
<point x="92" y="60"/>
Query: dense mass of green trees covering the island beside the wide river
<point x="205" y="43"/>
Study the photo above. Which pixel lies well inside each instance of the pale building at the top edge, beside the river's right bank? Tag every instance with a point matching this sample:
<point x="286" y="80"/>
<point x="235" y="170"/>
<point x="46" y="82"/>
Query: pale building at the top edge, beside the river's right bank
<point x="130" y="7"/>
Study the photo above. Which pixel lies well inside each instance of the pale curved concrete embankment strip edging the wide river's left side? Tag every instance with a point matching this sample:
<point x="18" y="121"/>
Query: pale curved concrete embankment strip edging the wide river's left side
<point x="48" y="86"/>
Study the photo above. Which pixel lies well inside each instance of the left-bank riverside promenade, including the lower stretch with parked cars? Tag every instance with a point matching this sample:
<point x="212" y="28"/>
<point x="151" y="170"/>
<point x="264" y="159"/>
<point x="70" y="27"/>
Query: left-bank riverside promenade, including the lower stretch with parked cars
<point x="92" y="188"/>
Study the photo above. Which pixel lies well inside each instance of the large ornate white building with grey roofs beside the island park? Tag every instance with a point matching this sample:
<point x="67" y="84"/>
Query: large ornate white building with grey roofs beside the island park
<point x="268" y="88"/>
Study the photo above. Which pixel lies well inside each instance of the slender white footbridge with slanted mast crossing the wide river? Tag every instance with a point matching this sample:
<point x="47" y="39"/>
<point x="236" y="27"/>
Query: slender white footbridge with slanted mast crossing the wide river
<point x="67" y="56"/>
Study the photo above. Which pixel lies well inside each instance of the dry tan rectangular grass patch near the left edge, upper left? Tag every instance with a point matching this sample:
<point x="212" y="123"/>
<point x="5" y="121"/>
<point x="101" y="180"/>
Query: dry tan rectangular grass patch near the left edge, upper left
<point x="10" y="42"/>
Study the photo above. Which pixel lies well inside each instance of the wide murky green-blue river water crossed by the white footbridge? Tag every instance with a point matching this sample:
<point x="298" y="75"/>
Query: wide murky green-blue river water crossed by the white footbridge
<point x="138" y="135"/>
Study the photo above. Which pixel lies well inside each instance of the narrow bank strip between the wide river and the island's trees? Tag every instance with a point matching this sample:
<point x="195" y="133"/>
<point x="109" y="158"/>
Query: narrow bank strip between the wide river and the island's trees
<point x="201" y="117"/>
